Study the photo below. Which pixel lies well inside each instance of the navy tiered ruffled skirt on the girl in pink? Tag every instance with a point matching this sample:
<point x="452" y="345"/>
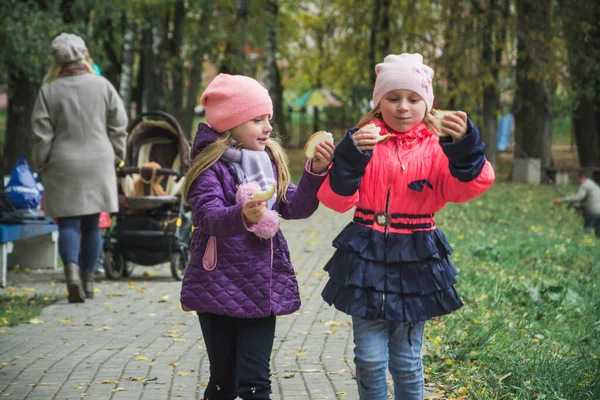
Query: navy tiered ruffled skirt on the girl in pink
<point x="404" y="277"/>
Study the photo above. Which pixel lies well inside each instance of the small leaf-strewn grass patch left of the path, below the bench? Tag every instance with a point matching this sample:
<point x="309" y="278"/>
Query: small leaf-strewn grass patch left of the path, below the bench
<point x="17" y="308"/>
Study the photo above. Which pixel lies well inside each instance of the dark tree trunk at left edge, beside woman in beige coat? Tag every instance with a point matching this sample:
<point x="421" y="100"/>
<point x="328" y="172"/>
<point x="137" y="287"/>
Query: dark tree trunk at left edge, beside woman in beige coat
<point x="19" y="139"/>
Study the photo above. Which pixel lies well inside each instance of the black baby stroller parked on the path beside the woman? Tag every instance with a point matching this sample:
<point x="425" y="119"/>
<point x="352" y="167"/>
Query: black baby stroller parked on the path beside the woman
<point x="152" y="225"/>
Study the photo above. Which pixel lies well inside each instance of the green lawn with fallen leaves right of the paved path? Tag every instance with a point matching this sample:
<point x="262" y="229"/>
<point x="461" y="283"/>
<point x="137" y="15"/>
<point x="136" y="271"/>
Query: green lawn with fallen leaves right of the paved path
<point x="529" y="279"/>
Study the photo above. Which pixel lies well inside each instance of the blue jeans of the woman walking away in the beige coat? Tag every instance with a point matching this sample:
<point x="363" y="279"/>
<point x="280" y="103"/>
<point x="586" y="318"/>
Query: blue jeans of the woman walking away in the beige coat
<point x="74" y="231"/>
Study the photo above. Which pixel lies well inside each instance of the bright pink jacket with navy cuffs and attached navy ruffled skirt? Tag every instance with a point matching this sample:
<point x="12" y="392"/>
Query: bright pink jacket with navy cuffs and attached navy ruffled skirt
<point x="391" y="262"/>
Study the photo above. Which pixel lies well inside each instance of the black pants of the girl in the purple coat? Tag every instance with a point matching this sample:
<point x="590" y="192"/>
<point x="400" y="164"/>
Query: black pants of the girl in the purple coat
<point x="239" y="351"/>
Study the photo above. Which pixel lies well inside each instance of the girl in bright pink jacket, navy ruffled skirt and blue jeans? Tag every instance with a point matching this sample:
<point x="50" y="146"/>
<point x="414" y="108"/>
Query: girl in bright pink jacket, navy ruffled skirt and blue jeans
<point x="391" y="271"/>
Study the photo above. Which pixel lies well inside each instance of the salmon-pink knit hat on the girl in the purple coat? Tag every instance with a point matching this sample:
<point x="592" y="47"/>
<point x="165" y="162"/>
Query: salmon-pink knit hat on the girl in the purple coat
<point x="231" y="100"/>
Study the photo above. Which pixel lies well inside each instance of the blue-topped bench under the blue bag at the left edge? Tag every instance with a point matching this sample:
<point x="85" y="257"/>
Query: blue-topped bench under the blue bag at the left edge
<point x="29" y="244"/>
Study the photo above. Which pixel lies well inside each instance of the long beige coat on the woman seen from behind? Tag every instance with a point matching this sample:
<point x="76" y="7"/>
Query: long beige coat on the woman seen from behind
<point x="79" y="126"/>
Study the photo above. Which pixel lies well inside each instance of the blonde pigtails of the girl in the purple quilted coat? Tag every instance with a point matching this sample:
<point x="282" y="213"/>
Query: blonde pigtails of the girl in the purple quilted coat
<point x="213" y="152"/>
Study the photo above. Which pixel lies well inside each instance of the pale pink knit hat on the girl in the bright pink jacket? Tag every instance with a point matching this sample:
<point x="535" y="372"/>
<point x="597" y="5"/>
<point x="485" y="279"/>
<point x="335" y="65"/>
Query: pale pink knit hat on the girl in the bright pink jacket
<point x="404" y="71"/>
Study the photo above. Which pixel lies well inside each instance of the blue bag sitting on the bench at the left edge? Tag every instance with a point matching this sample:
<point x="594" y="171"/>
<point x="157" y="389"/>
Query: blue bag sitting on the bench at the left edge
<point x="22" y="189"/>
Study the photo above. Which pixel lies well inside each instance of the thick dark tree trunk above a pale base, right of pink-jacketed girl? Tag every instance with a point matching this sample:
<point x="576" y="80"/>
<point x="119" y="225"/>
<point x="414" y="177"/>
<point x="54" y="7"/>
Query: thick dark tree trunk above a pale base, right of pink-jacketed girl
<point x="533" y="114"/>
